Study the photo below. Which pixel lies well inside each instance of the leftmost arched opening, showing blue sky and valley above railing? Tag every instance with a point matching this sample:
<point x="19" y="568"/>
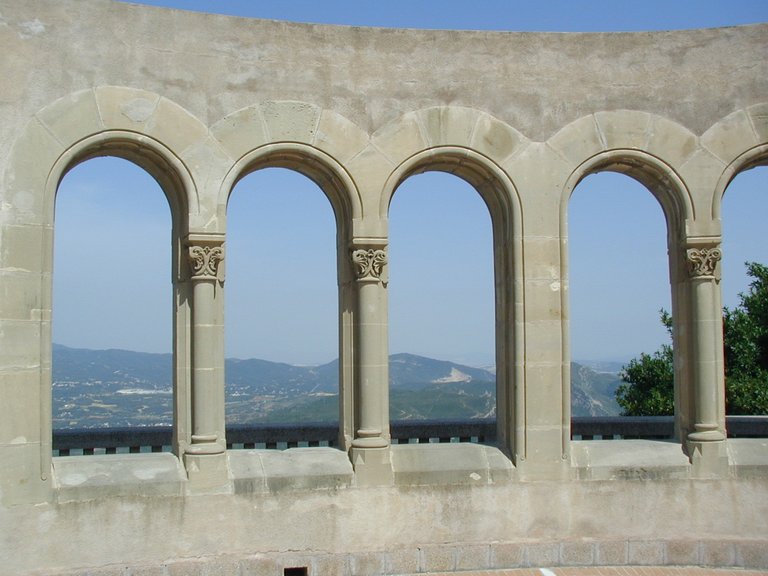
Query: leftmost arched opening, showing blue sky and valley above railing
<point x="112" y="298"/>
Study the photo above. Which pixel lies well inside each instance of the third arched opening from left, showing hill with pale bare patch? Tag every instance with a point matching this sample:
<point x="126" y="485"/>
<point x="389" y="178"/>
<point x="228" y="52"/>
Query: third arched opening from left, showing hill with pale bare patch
<point x="441" y="301"/>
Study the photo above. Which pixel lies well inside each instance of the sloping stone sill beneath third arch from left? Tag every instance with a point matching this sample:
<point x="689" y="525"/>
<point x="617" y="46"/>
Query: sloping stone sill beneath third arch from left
<point x="436" y="464"/>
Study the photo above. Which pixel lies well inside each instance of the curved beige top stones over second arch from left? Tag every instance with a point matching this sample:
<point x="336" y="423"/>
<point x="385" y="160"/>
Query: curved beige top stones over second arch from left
<point x="289" y="121"/>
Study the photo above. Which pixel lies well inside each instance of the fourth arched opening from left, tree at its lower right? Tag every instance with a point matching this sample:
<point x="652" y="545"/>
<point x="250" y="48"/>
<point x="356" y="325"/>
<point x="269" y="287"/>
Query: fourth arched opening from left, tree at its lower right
<point x="618" y="283"/>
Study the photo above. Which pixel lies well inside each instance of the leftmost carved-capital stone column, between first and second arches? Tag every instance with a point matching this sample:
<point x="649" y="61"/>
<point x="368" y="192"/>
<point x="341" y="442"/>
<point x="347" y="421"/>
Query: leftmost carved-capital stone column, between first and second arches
<point x="205" y="456"/>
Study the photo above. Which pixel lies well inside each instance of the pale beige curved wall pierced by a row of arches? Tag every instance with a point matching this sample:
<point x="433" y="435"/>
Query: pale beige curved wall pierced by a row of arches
<point x="199" y="101"/>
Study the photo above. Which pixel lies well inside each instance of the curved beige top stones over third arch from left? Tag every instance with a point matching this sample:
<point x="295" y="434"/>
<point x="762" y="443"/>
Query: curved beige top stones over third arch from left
<point x="456" y="126"/>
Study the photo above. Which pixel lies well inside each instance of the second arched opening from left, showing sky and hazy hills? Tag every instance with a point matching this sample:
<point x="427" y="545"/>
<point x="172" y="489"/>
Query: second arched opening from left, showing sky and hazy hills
<point x="281" y="310"/>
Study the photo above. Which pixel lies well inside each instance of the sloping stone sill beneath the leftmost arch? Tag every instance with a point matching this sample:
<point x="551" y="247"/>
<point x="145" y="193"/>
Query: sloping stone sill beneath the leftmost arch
<point x="112" y="475"/>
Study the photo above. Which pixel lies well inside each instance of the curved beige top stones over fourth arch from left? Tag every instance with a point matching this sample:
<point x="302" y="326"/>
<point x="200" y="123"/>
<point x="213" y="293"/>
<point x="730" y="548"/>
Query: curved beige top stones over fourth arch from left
<point x="591" y="135"/>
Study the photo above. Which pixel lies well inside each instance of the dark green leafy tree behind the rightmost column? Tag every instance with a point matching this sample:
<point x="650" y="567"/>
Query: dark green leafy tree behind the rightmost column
<point x="648" y="381"/>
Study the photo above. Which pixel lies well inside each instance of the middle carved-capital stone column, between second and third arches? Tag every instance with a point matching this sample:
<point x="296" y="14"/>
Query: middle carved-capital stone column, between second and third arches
<point x="370" y="447"/>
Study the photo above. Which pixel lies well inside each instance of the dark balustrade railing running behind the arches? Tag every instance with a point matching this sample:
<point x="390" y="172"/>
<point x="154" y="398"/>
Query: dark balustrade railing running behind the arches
<point x="89" y="441"/>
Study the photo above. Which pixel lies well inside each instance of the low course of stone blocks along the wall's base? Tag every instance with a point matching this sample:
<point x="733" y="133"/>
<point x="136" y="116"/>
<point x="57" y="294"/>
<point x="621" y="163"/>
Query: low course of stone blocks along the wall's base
<point x="746" y="554"/>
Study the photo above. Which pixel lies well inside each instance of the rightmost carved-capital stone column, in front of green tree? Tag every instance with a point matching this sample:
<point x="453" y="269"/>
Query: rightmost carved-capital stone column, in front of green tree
<point x="705" y="443"/>
